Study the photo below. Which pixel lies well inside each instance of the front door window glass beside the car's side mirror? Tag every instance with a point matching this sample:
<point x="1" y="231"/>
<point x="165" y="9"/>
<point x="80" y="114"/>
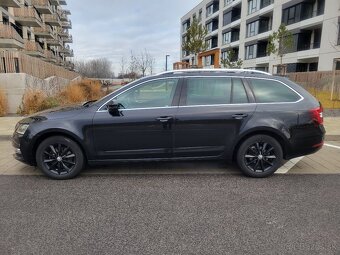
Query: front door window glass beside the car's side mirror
<point x="150" y="94"/>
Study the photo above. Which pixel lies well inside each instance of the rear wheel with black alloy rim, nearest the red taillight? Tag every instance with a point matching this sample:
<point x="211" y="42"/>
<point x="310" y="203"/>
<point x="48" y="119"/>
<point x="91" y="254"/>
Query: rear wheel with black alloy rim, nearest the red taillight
<point x="260" y="156"/>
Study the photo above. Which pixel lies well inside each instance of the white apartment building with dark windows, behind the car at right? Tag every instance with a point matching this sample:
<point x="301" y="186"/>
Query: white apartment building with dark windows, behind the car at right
<point x="245" y="25"/>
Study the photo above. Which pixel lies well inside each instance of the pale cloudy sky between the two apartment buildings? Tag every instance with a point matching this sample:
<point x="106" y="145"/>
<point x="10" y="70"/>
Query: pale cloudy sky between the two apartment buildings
<point x="113" y="28"/>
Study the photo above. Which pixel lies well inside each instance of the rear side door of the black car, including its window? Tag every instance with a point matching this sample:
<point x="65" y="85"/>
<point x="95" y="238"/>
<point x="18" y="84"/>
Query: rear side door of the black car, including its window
<point x="212" y="111"/>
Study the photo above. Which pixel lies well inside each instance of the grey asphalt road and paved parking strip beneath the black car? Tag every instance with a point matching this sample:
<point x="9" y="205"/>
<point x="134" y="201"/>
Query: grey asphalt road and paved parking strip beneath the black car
<point x="197" y="207"/>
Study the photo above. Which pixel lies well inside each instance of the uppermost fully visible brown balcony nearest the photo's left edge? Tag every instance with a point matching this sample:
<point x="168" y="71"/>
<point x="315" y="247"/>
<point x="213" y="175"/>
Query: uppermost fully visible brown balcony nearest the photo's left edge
<point x="27" y="16"/>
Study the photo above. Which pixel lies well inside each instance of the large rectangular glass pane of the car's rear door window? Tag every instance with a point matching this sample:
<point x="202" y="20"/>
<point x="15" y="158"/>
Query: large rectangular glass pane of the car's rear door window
<point x="207" y="91"/>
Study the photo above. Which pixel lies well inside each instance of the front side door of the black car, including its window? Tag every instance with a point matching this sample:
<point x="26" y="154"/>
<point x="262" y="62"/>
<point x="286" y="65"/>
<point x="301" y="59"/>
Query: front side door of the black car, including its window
<point x="143" y="128"/>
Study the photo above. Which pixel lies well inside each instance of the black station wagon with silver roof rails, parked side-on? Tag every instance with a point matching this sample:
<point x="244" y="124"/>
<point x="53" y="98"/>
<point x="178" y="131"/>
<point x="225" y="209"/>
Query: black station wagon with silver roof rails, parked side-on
<point x="246" y="116"/>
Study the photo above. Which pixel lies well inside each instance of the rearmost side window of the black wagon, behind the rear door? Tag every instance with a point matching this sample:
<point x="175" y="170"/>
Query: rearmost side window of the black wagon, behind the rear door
<point x="270" y="91"/>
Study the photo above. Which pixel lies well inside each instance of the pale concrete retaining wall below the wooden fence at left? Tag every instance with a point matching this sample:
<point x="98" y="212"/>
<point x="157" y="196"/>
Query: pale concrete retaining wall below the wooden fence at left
<point x="15" y="85"/>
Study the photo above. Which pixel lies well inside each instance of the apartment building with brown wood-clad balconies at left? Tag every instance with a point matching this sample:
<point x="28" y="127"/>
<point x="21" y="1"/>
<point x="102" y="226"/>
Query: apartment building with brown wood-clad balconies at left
<point x="38" y="28"/>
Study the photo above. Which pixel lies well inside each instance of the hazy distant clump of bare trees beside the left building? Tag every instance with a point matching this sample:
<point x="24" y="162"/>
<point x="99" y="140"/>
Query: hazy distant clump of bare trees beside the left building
<point x="96" y="68"/>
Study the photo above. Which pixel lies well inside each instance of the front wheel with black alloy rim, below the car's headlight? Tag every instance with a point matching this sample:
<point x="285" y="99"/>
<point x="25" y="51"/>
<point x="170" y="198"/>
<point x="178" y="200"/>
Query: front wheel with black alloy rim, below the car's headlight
<point x="60" y="158"/>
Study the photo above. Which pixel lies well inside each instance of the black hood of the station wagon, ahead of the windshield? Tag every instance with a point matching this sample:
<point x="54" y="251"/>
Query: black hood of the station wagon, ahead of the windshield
<point x="55" y="113"/>
